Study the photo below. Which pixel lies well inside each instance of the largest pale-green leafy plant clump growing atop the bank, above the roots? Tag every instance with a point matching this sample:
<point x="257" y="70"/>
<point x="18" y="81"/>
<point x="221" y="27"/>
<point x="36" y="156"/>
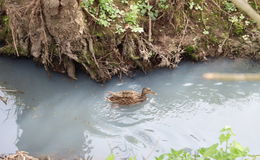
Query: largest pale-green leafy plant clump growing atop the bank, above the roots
<point x="107" y="13"/>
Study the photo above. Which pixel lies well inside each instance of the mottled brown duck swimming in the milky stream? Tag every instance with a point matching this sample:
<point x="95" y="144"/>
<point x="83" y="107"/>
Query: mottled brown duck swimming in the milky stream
<point x="129" y="97"/>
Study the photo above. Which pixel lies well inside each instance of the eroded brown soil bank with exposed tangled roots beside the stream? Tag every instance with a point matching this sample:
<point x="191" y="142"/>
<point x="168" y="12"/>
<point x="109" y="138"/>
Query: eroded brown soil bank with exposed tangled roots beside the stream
<point x="64" y="37"/>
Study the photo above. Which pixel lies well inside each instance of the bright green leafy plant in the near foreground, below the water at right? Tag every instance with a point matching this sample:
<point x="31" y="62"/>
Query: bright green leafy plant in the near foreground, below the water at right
<point x="225" y="149"/>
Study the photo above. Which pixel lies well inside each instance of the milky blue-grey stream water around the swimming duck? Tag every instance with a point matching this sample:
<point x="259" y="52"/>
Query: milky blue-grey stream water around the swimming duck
<point x="60" y="117"/>
